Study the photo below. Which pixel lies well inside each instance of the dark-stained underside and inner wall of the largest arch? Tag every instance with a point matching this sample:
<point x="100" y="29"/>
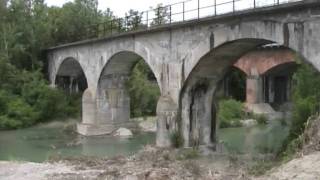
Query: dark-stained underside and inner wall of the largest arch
<point x="197" y="104"/>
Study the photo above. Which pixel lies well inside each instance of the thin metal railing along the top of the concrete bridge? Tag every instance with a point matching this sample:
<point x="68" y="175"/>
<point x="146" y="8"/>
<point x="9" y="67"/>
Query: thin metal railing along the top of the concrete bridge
<point x="170" y="14"/>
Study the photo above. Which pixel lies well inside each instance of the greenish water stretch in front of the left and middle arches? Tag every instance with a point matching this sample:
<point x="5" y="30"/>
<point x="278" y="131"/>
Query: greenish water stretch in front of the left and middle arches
<point x="37" y="144"/>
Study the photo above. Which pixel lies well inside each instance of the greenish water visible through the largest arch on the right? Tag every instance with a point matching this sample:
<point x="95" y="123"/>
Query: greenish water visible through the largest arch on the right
<point x="260" y="139"/>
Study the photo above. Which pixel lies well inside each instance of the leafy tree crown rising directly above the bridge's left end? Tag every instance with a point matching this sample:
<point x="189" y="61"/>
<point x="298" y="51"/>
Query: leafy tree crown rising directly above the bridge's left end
<point x="75" y="20"/>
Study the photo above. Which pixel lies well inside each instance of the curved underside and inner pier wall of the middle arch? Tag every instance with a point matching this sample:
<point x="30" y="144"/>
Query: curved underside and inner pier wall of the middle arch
<point x="112" y="96"/>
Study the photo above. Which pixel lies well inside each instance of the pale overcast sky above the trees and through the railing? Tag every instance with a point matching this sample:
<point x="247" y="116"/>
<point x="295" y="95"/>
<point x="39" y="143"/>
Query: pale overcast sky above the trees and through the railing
<point x="120" y="7"/>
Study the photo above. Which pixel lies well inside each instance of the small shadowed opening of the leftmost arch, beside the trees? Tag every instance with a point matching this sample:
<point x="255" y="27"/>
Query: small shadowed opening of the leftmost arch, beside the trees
<point x="70" y="76"/>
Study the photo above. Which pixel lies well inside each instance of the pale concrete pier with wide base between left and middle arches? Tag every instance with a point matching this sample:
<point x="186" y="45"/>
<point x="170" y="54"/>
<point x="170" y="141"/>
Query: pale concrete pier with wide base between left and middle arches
<point x="109" y="110"/>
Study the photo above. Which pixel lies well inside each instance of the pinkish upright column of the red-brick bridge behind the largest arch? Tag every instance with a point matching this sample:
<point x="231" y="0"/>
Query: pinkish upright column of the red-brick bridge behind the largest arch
<point x="254" y="89"/>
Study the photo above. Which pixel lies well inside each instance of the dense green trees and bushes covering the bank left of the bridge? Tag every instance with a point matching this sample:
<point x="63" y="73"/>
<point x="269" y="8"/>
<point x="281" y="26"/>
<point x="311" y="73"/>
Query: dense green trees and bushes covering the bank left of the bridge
<point x="27" y="27"/>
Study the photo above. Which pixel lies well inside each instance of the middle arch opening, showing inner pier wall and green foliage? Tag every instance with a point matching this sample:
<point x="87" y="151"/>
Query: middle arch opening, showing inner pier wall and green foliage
<point x="127" y="88"/>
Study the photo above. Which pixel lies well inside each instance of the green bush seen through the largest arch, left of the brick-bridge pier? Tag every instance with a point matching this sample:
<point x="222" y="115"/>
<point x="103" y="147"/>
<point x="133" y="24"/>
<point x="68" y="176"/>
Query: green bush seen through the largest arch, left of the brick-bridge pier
<point x="230" y="113"/>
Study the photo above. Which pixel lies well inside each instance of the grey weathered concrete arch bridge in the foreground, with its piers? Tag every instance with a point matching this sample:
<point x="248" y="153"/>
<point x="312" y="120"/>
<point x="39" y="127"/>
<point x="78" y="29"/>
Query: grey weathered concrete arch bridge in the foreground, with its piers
<point x="188" y="59"/>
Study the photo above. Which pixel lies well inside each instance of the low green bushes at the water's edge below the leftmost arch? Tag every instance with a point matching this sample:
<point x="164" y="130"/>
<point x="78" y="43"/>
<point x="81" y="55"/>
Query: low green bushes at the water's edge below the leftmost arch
<point x="31" y="100"/>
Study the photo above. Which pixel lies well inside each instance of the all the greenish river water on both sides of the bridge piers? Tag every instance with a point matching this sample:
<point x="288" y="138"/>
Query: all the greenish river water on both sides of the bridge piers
<point x="39" y="143"/>
